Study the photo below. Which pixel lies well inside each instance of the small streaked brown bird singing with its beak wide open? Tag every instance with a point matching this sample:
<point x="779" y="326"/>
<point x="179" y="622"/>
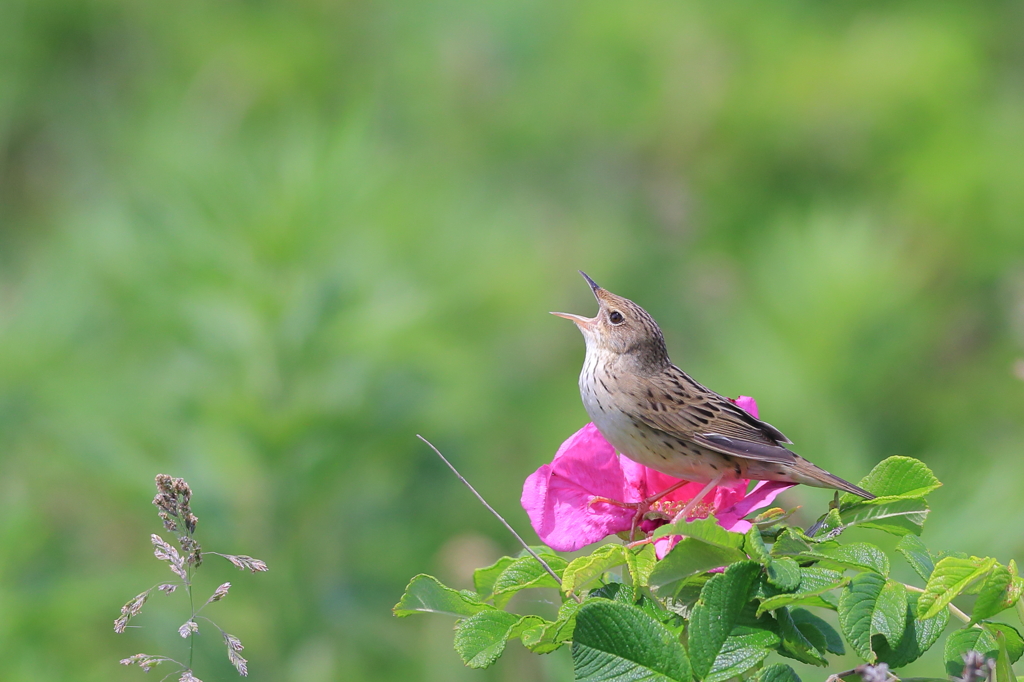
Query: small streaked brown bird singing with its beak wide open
<point x="655" y="414"/>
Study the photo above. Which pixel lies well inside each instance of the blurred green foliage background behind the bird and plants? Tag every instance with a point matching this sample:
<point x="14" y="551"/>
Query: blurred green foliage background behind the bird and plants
<point x="262" y="245"/>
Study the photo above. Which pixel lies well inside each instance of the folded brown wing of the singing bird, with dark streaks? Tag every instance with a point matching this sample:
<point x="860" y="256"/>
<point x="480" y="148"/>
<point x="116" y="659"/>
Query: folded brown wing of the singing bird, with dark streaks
<point x="687" y="410"/>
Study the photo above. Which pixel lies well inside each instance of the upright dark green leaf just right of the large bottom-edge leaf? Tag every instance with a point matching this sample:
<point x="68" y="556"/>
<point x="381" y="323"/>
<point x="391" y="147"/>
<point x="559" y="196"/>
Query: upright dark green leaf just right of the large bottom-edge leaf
<point x="715" y="615"/>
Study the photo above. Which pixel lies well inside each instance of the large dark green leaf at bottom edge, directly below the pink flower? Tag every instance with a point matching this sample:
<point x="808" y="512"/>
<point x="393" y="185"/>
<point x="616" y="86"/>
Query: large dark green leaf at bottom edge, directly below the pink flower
<point x="616" y="643"/>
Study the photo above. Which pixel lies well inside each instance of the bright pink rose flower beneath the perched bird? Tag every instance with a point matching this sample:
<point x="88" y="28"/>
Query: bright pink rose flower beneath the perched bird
<point x="564" y="499"/>
